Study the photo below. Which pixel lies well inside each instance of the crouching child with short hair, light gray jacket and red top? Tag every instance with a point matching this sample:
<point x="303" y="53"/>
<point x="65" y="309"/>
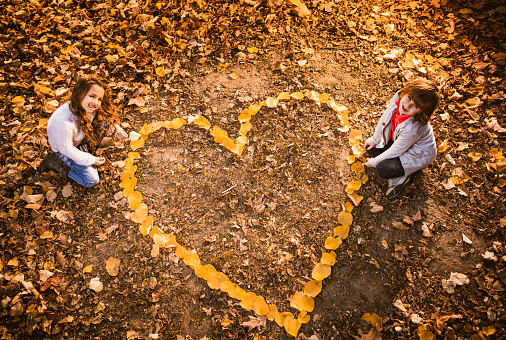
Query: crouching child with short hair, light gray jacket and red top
<point x="403" y="141"/>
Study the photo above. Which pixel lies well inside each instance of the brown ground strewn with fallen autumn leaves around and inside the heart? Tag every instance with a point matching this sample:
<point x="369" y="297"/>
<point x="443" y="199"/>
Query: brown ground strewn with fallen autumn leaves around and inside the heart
<point x="429" y="264"/>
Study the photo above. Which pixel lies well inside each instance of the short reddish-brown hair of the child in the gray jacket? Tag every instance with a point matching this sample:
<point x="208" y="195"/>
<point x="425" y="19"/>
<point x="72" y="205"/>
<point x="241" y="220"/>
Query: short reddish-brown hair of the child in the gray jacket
<point x="425" y="94"/>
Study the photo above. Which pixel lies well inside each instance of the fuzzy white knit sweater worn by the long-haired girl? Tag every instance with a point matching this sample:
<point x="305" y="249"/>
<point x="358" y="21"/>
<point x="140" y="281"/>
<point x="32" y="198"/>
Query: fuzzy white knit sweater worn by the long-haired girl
<point x="65" y="133"/>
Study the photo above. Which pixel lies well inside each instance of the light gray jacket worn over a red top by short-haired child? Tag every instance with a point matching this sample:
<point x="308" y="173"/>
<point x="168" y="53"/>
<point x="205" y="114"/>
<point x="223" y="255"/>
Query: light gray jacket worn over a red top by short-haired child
<point x="414" y="144"/>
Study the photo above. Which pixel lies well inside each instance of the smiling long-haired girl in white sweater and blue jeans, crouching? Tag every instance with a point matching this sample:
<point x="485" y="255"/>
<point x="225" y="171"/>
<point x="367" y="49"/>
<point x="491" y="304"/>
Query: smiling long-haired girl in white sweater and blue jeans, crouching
<point x="74" y="124"/>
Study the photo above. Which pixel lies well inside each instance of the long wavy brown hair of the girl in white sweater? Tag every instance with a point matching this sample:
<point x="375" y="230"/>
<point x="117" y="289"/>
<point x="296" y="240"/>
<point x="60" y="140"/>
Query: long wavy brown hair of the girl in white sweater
<point x="106" y="115"/>
